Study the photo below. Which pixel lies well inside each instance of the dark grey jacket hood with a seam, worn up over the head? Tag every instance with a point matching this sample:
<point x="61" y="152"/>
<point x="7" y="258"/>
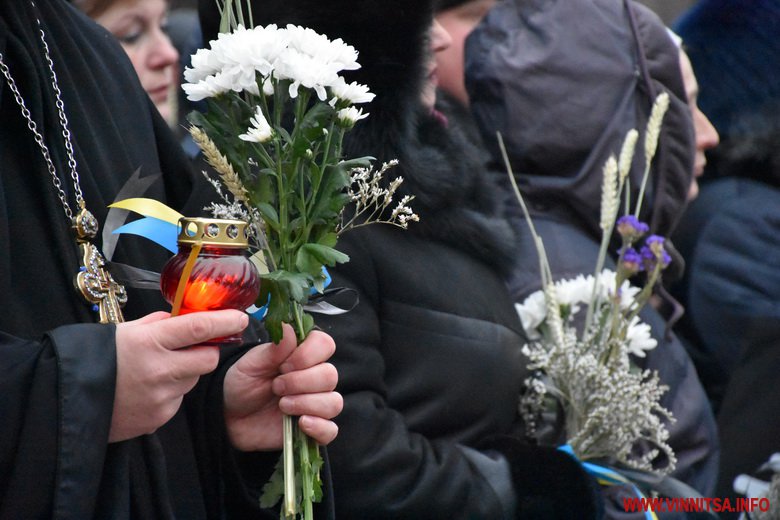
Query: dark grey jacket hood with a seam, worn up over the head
<point x="564" y="81"/>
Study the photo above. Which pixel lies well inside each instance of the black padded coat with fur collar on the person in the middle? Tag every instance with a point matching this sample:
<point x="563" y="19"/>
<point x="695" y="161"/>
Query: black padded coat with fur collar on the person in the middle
<point x="430" y="363"/>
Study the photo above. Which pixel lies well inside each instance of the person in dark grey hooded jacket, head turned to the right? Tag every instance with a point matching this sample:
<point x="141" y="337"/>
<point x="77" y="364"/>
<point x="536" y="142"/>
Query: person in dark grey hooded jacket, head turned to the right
<point x="564" y="82"/>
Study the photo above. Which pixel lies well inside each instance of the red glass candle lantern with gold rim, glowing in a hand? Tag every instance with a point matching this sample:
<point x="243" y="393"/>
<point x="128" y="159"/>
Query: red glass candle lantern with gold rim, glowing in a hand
<point x="211" y="270"/>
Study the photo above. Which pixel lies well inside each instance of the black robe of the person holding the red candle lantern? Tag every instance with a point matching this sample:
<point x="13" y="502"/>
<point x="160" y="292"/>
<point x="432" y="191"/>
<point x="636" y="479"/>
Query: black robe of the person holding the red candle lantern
<point x="58" y="366"/>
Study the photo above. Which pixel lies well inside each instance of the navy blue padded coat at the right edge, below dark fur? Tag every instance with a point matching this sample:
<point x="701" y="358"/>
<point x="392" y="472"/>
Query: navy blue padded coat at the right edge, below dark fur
<point x="732" y="285"/>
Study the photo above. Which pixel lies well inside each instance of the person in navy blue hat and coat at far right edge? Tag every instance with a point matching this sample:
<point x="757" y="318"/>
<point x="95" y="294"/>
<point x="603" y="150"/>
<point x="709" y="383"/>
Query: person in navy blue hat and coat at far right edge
<point x="734" y="49"/>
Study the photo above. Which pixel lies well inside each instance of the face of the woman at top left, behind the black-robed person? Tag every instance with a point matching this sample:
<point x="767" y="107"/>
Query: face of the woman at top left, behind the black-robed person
<point x="139" y="25"/>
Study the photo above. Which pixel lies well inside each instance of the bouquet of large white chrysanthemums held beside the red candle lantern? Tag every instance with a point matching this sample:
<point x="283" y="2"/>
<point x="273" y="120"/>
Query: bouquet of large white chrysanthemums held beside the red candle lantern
<point x="277" y="109"/>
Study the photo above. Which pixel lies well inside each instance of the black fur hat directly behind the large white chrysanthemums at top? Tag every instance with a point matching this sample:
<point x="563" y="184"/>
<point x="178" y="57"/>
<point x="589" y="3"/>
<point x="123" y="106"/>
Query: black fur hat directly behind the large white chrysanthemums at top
<point x="391" y="38"/>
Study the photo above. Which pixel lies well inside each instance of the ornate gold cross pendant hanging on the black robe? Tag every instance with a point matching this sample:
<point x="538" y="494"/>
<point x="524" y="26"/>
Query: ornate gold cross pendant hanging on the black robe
<point x="93" y="279"/>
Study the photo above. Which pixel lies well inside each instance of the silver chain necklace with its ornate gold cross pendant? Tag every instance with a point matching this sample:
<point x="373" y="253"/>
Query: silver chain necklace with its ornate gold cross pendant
<point x="93" y="280"/>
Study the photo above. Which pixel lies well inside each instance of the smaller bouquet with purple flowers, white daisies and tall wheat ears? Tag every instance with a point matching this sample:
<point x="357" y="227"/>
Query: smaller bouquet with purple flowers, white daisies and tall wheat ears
<point x="582" y="366"/>
